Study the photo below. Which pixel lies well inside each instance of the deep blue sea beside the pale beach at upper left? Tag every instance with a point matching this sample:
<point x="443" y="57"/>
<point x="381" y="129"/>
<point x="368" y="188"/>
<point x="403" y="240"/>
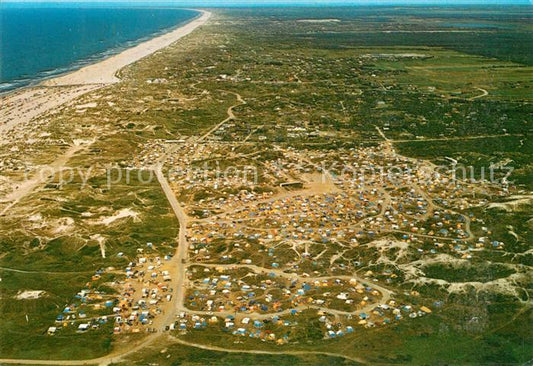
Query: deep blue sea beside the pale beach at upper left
<point x="38" y="43"/>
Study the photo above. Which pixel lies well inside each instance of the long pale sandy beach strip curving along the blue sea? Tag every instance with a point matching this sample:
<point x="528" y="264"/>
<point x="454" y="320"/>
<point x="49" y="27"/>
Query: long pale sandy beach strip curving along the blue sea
<point x="20" y="107"/>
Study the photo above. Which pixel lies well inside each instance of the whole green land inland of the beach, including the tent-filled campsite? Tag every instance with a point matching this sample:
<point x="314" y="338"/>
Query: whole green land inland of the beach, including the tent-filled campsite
<point x="246" y="172"/>
